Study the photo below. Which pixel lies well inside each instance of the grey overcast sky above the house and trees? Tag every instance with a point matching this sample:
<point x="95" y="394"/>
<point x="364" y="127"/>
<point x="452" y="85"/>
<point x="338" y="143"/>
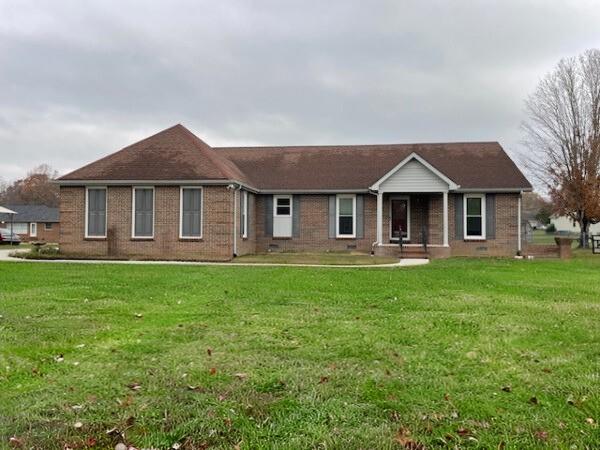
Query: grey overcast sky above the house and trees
<point x="81" y="79"/>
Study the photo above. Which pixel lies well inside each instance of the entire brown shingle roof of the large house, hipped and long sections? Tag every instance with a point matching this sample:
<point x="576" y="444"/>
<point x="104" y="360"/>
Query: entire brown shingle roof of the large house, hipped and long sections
<point x="177" y="154"/>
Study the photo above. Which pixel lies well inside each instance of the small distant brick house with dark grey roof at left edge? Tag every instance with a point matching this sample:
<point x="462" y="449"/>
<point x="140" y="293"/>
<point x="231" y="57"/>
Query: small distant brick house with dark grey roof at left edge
<point x="33" y="222"/>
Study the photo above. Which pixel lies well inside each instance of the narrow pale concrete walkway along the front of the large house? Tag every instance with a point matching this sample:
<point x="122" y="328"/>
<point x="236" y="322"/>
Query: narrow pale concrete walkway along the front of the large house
<point x="4" y="256"/>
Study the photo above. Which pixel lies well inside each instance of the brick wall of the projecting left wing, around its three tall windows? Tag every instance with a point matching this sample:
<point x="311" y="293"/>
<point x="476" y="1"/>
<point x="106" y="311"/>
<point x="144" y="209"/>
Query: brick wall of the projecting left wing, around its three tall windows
<point x="216" y="244"/>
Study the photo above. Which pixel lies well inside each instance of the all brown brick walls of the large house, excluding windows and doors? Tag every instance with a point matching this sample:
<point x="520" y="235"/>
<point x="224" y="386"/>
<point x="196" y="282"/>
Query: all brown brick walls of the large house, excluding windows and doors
<point x="217" y="242"/>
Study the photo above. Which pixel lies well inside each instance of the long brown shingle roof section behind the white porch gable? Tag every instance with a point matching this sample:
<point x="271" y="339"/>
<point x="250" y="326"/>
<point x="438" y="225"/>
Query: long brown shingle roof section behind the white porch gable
<point x="470" y="165"/>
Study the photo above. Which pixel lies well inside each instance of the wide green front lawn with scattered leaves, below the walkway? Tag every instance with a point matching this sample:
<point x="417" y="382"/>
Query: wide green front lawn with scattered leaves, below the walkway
<point x="456" y="354"/>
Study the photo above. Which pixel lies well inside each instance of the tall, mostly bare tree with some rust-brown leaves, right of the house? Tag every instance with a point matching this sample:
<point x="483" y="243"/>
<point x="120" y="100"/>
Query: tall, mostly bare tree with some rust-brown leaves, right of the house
<point x="563" y="134"/>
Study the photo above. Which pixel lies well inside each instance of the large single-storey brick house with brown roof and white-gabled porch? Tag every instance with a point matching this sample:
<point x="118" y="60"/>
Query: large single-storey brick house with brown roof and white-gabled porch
<point x="172" y="196"/>
